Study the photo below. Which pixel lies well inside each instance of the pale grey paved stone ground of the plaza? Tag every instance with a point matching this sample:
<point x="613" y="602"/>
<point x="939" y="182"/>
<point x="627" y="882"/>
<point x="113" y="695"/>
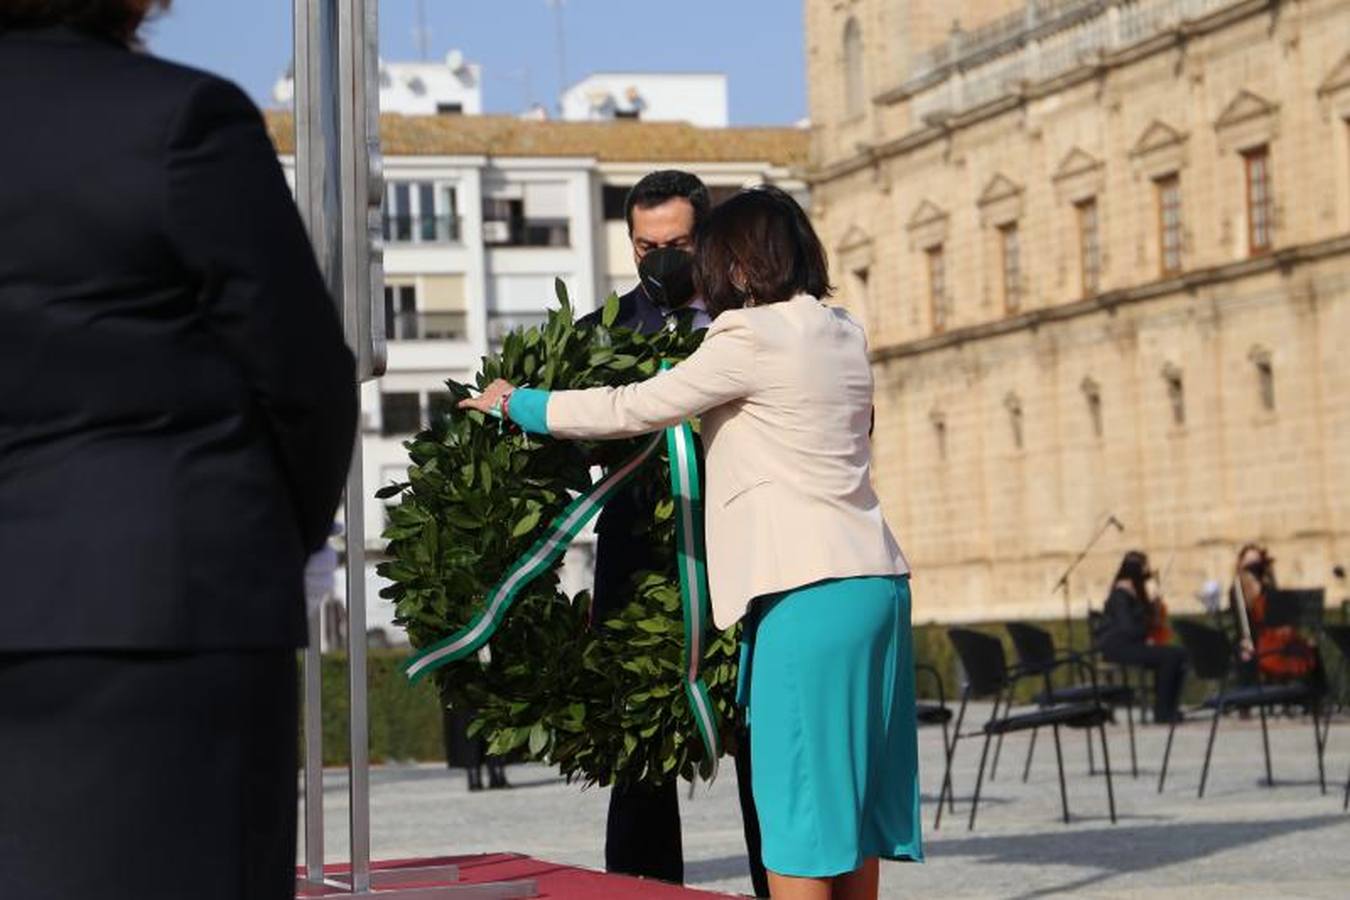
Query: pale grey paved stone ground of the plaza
<point x="1289" y="841"/>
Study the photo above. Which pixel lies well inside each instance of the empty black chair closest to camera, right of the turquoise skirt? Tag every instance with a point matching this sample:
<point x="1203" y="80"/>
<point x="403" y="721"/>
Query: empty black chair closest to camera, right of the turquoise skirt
<point x="988" y="675"/>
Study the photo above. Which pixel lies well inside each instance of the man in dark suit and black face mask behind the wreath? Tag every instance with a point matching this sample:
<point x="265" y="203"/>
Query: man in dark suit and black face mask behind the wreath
<point x="664" y="210"/>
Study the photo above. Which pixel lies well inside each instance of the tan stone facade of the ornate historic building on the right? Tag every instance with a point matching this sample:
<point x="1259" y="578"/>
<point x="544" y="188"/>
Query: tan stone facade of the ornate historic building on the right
<point x="1102" y="249"/>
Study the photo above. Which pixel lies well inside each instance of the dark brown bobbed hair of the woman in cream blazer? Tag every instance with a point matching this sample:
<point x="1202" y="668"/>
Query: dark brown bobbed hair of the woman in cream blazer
<point x="759" y="245"/>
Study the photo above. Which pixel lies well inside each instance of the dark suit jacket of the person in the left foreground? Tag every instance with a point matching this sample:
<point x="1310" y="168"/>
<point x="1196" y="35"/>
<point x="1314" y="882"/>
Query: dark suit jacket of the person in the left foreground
<point x="178" y="404"/>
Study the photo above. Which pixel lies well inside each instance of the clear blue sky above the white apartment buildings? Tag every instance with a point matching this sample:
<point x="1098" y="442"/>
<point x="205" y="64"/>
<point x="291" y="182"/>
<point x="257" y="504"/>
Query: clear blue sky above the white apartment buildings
<point x="758" y="44"/>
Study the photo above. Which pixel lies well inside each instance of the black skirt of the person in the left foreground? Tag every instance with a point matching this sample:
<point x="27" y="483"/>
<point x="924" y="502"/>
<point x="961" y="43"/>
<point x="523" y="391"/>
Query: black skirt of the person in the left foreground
<point x="149" y="777"/>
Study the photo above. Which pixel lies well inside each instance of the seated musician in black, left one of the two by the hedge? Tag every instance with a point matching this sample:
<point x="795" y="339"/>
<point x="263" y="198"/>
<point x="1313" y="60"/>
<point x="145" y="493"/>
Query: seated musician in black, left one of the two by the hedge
<point x="1124" y="635"/>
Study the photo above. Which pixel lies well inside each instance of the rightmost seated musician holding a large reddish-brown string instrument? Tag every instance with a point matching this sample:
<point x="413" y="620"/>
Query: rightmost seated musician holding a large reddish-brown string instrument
<point x="1276" y="652"/>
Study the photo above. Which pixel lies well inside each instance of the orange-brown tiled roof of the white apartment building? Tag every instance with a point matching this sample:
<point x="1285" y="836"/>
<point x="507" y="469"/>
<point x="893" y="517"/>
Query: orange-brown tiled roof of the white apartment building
<point x="603" y="141"/>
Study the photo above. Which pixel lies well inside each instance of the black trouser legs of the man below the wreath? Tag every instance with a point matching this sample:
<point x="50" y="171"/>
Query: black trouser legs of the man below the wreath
<point x="643" y="835"/>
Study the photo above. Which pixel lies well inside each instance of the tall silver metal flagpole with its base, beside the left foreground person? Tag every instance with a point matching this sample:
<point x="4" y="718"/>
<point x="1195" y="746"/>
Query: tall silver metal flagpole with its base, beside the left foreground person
<point x="340" y="188"/>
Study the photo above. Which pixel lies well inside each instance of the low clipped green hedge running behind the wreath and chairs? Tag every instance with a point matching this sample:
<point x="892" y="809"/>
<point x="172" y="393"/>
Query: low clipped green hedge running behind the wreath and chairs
<point x="406" y="721"/>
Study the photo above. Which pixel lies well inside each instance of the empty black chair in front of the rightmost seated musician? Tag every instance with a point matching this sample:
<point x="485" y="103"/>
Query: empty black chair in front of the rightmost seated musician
<point x="1213" y="659"/>
